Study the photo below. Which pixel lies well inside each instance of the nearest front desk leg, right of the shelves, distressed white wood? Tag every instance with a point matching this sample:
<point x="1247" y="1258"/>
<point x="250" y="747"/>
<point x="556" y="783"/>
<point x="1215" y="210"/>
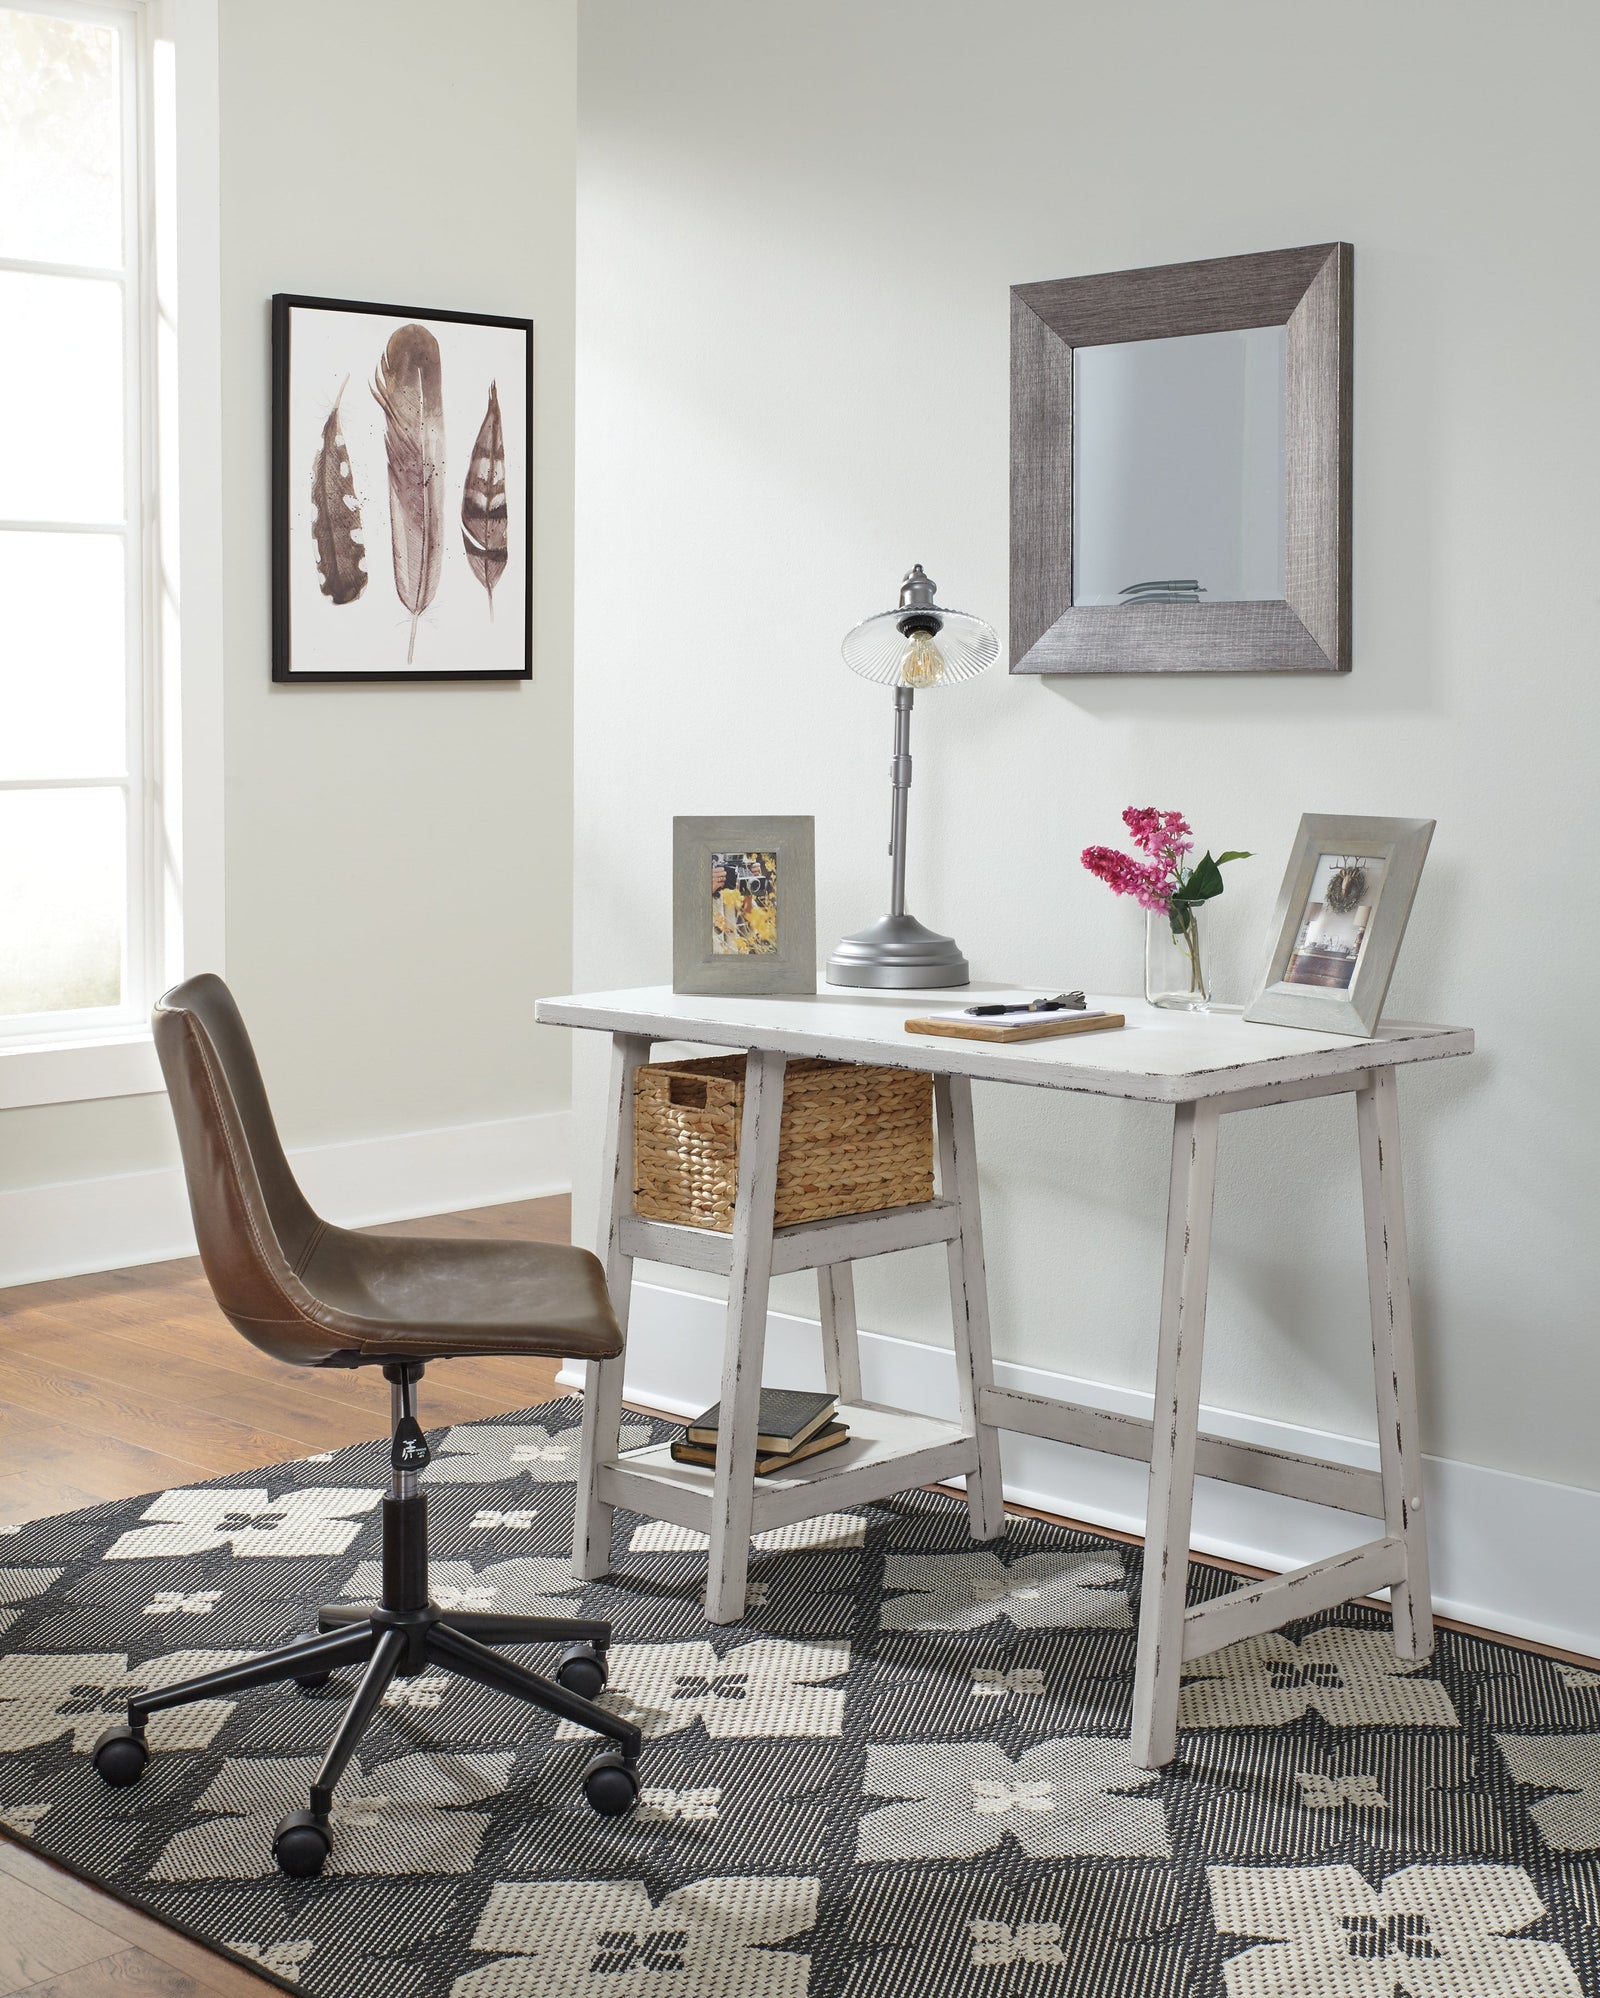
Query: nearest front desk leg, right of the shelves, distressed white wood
<point x="1178" y="1416"/>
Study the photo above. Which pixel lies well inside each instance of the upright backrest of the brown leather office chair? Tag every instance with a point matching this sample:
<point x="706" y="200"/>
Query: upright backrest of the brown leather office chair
<point x="251" y="1218"/>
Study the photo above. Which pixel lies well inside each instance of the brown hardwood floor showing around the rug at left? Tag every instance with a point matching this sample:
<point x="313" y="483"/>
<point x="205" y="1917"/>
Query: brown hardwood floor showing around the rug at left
<point x="133" y="1382"/>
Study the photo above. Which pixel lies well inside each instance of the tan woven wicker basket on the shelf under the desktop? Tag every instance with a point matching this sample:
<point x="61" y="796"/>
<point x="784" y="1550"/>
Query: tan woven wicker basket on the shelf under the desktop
<point x="854" y="1140"/>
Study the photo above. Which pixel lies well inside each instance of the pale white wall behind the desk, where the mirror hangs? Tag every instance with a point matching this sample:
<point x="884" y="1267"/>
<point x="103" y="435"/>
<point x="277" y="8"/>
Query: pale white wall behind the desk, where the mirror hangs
<point x="796" y="237"/>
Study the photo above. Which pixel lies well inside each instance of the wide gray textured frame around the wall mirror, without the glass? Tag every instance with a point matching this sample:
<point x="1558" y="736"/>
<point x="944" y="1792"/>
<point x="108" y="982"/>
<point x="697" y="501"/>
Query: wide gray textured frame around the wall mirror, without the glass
<point x="1309" y="628"/>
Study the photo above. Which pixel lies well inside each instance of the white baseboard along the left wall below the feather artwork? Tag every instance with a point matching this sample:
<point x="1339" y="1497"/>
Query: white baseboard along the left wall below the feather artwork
<point x="81" y="1226"/>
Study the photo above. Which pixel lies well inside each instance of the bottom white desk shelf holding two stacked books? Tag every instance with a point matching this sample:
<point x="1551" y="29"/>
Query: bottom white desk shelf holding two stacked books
<point x="888" y="1454"/>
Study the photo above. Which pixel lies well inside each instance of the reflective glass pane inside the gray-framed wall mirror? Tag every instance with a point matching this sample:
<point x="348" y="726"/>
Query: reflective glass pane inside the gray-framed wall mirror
<point x="1180" y="469"/>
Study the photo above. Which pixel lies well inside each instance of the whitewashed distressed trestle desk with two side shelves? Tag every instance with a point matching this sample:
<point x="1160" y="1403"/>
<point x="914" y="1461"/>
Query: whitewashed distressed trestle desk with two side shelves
<point x="1200" y="1066"/>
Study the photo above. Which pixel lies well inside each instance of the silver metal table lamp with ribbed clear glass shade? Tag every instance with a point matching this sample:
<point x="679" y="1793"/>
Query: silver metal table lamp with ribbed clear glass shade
<point x="920" y="644"/>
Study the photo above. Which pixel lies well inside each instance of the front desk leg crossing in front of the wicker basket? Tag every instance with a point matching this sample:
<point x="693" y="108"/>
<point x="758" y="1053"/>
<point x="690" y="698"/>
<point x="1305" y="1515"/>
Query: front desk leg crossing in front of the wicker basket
<point x="746" y="1340"/>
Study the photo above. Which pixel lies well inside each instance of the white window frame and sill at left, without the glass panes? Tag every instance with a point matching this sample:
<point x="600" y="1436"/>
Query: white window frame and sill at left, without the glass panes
<point x="175" y="714"/>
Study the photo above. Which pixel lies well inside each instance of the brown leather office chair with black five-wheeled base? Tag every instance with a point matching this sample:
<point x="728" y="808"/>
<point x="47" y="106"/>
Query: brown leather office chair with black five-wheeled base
<point x="317" y="1296"/>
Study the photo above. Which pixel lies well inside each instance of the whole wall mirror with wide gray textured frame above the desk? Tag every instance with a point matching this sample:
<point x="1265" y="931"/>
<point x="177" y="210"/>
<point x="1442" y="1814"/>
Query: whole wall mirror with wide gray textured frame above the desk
<point x="1182" y="469"/>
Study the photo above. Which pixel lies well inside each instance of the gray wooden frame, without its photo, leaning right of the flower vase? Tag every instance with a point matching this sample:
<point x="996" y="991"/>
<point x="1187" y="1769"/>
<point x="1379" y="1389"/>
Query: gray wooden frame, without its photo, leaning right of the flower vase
<point x="1403" y="846"/>
